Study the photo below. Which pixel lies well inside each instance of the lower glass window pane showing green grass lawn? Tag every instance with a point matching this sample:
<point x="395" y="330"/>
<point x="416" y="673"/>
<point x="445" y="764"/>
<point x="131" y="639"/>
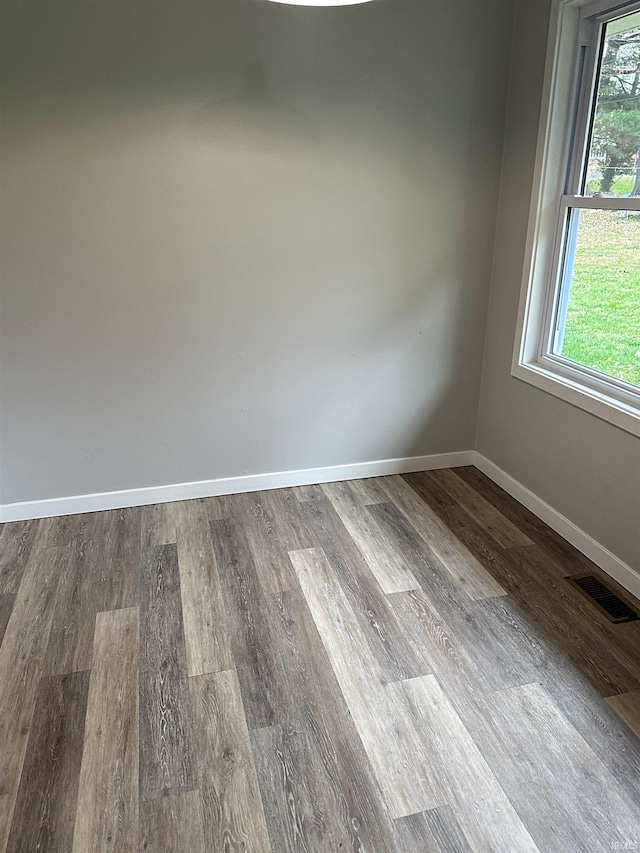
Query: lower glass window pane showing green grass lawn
<point x="598" y="321"/>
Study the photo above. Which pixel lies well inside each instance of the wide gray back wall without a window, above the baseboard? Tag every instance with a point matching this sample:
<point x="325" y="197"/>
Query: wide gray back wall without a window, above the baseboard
<point x="203" y="278"/>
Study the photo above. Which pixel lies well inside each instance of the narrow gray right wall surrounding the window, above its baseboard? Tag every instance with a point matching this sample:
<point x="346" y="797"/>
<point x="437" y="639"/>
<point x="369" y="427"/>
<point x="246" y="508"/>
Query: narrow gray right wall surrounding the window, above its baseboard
<point x="583" y="467"/>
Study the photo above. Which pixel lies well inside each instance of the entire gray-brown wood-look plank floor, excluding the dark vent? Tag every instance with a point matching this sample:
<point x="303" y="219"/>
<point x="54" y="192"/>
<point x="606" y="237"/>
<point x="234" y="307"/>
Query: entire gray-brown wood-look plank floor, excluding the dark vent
<point x="393" y="665"/>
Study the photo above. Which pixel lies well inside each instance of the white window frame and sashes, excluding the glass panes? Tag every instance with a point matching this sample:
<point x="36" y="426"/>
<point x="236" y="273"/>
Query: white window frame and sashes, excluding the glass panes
<point x="572" y="65"/>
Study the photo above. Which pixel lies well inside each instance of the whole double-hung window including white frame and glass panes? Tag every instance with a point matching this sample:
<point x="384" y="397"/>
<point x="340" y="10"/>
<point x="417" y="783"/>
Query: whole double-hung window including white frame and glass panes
<point x="579" y="324"/>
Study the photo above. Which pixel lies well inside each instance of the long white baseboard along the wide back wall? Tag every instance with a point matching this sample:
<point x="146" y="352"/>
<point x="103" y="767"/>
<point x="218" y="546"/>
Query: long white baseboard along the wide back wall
<point x="232" y="485"/>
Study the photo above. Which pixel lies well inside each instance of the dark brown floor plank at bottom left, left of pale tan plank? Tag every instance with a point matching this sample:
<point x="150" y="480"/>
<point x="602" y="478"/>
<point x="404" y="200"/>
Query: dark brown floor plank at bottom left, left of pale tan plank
<point x="45" y="809"/>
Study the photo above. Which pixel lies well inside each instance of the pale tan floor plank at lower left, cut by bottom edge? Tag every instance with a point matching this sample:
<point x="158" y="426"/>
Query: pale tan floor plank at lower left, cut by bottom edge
<point x="107" y="812"/>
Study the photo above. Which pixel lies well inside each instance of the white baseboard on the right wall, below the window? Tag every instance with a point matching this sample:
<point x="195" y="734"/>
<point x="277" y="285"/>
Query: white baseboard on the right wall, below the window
<point x="603" y="558"/>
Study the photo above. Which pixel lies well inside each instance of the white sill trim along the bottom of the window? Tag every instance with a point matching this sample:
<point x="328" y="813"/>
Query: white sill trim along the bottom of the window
<point x="616" y="412"/>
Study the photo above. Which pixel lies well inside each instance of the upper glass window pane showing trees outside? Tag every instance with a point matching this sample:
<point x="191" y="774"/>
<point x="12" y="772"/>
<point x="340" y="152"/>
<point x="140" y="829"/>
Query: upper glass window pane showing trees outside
<point x="613" y="164"/>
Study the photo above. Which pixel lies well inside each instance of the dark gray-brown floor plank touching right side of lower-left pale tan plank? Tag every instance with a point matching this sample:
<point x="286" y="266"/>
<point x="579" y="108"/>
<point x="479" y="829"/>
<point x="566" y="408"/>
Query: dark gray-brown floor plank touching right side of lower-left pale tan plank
<point x="166" y="742"/>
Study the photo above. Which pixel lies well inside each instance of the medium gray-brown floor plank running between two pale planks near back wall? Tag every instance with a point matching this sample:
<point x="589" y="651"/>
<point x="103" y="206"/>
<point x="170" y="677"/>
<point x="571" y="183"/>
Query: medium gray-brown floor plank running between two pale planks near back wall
<point x="392" y="646"/>
